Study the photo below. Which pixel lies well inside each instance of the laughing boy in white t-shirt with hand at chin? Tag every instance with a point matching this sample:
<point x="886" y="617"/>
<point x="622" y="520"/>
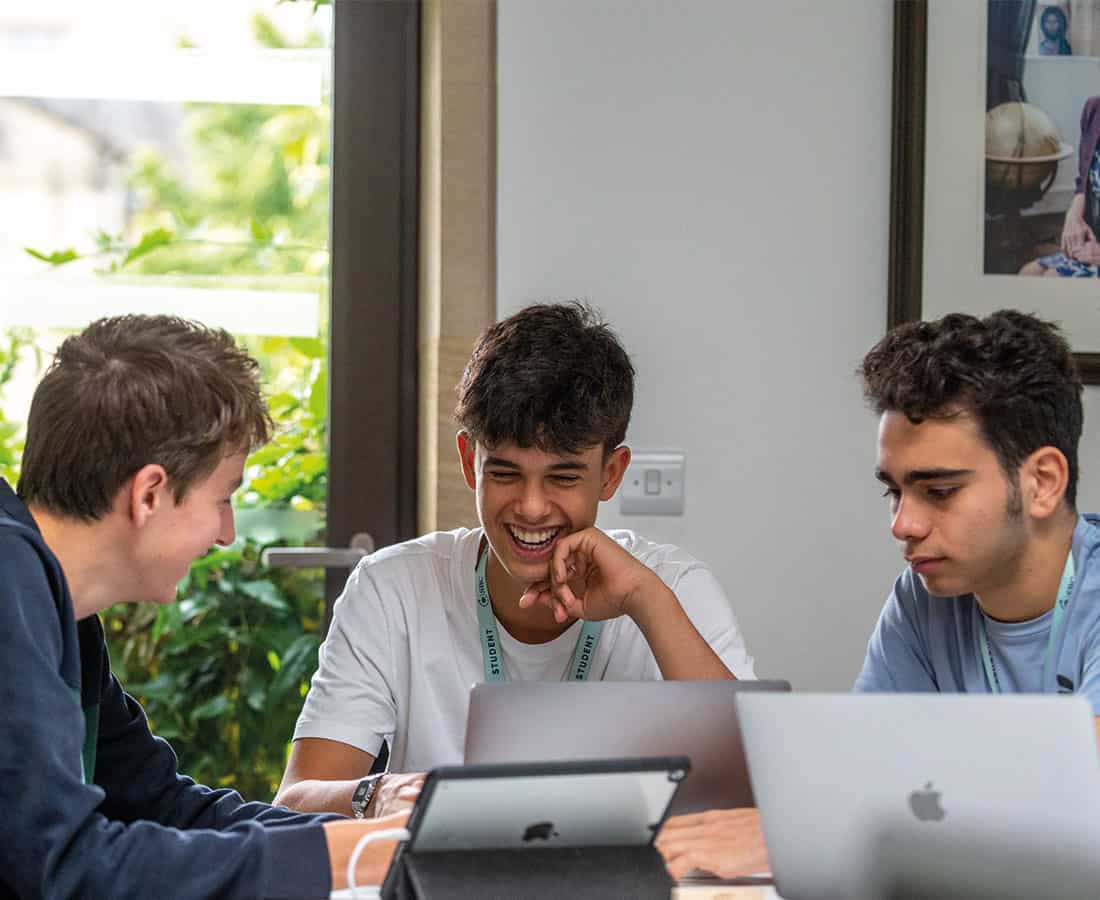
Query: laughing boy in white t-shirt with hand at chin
<point x="536" y="594"/>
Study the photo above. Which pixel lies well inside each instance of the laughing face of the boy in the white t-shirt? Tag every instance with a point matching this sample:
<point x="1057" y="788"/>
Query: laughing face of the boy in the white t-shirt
<point x="529" y="499"/>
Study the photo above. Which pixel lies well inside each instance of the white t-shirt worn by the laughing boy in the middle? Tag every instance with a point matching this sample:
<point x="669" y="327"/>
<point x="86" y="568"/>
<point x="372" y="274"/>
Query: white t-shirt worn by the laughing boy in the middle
<point x="405" y="646"/>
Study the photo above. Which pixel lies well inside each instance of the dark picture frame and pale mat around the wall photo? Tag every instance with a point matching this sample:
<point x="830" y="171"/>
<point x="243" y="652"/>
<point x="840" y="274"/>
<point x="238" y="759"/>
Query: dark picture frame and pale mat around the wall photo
<point x="938" y="186"/>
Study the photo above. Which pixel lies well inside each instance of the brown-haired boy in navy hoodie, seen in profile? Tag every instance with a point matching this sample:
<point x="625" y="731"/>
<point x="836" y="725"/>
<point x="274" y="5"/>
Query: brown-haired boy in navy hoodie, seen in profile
<point x="136" y="443"/>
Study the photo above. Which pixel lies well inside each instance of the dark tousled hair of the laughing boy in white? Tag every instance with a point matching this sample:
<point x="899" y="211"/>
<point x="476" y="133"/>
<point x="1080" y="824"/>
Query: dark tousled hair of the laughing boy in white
<point x="553" y="377"/>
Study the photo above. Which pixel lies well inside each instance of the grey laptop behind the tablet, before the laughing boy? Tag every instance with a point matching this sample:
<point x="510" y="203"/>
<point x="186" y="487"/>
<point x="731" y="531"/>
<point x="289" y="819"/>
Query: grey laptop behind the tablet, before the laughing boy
<point x="555" y="721"/>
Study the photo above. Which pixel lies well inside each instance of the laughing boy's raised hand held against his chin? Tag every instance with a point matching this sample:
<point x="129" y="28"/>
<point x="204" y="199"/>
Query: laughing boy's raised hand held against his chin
<point x="591" y="578"/>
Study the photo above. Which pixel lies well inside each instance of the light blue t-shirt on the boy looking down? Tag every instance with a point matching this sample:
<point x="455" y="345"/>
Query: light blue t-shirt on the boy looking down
<point x="925" y="643"/>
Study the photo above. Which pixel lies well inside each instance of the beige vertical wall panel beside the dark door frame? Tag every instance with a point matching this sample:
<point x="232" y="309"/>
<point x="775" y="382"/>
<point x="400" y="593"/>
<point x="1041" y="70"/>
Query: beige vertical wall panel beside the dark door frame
<point x="458" y="271"/>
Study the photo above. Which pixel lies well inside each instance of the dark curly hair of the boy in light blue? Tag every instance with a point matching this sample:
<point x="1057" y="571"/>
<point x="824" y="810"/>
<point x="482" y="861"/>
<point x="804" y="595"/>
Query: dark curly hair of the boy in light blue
<point x="1015" y="374"/>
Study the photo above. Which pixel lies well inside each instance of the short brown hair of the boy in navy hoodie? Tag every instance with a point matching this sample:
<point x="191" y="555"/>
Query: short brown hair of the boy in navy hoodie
<point x="131" y="391"/>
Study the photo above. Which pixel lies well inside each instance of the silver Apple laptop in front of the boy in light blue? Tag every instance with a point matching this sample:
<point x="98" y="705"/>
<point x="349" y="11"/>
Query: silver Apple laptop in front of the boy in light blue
<point x="833" y="774"/>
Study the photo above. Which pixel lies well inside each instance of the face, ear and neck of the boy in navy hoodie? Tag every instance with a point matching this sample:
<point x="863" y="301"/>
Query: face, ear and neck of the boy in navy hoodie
<point x="173" y="535"/>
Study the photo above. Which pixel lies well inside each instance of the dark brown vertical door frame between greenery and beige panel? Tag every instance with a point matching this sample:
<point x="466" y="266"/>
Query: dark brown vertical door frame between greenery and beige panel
<point x="373" y="430"/>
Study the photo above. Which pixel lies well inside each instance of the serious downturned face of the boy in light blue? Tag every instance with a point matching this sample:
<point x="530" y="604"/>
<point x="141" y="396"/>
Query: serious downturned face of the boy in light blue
<point x="956" y="517"/>
